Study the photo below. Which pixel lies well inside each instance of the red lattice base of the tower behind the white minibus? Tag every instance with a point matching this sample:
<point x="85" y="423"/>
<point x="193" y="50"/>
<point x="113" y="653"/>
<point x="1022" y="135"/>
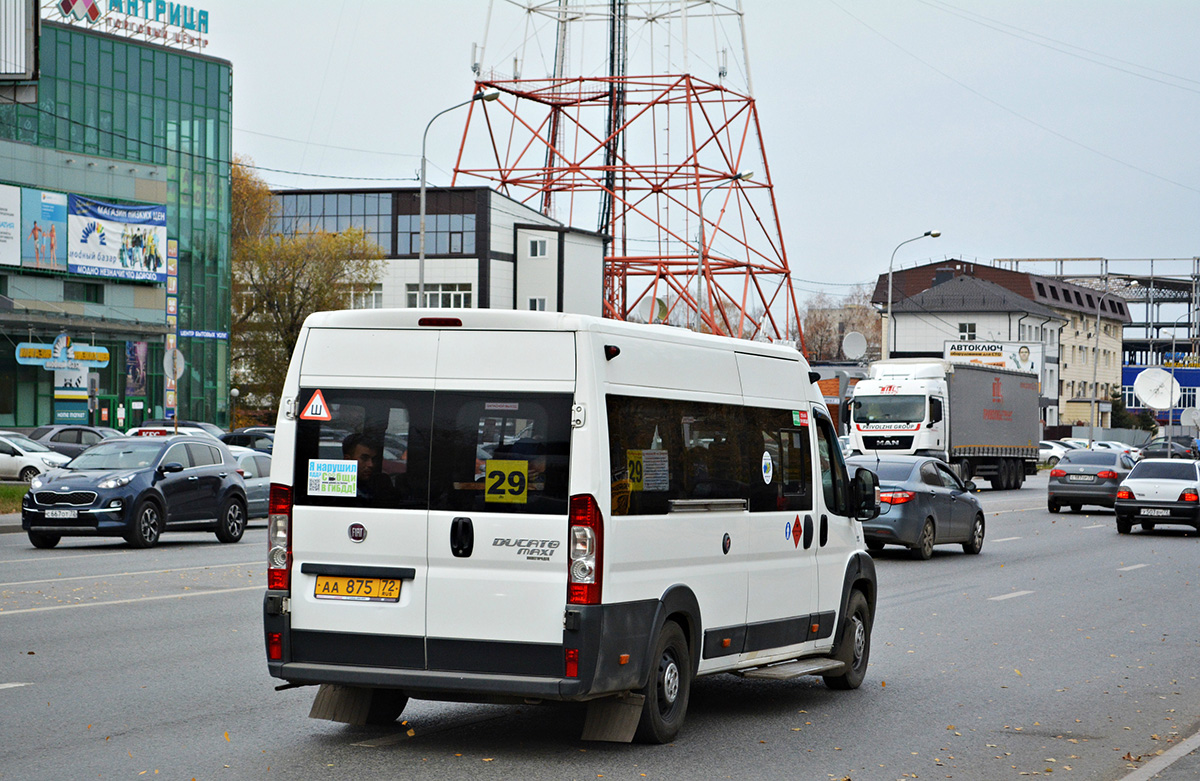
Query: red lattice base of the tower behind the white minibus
<point x="663" y="161"/>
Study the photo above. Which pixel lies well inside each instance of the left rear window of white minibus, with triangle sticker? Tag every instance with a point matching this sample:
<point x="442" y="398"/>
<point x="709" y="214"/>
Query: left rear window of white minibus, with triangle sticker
<point x="373" y="453"/>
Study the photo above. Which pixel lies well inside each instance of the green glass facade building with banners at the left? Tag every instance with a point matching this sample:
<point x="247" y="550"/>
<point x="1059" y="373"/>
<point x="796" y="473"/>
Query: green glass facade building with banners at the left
<point x="123" y="122"/>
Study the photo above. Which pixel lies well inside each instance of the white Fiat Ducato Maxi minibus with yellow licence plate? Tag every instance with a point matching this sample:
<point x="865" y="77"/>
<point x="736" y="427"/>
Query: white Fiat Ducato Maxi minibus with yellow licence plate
<point x="512" y="507"/>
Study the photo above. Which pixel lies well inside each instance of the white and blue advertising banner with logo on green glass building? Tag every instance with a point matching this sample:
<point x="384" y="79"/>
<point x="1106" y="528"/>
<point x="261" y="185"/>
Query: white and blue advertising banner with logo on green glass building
<point x="117" y="242"/>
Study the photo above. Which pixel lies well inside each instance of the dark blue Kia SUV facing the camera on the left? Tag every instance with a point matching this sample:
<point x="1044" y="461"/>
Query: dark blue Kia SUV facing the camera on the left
<point x="137" y="489"/>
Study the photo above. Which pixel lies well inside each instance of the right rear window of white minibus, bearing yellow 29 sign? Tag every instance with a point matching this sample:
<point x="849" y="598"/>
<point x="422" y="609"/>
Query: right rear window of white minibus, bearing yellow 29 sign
<point x="501" y="453"/>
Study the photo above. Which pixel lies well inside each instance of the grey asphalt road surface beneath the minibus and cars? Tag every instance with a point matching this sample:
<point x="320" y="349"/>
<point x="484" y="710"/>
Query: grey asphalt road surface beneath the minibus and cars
<point x="1064" y="650"/>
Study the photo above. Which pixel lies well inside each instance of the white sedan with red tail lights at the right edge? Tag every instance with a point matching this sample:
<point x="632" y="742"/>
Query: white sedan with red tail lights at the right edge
<point x="1160" y="491"/>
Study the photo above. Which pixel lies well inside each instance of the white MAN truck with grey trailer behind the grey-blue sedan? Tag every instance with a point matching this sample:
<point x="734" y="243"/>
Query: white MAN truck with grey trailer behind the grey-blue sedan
<point x="982" y="420"/>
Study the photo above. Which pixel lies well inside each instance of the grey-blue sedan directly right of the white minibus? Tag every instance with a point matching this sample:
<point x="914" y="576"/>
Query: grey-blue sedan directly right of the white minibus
<point x="923" y="503"/>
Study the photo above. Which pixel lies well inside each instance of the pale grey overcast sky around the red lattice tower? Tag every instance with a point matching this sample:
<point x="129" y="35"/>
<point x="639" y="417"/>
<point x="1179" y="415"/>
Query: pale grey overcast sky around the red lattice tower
<point x="1019" y="129"/>
